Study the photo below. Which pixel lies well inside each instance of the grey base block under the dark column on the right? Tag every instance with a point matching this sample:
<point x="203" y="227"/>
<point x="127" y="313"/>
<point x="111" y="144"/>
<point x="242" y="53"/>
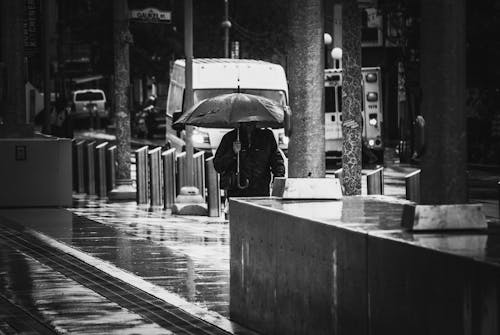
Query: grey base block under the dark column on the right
<point x="443" y="217"/>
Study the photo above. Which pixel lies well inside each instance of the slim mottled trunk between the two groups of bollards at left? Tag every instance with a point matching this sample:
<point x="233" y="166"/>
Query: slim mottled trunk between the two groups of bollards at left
<point x="122" y="38"/>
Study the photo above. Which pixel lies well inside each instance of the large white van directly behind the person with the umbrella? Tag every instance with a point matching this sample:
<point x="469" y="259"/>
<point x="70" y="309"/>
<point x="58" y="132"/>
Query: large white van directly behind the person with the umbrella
<point x="216" y="76"/>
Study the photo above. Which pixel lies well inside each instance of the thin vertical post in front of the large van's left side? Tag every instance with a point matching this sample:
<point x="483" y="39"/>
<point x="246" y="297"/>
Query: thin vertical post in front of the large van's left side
<point x="188" y="100"/>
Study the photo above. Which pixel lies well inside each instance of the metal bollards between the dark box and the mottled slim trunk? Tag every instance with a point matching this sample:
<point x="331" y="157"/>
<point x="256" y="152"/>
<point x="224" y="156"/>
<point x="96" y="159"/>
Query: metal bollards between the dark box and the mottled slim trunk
<point x="93" y="168"/>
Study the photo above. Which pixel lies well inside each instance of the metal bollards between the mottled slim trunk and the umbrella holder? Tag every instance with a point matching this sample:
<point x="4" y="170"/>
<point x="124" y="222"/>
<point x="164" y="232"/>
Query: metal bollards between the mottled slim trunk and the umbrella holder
<point x="161" y="175"/>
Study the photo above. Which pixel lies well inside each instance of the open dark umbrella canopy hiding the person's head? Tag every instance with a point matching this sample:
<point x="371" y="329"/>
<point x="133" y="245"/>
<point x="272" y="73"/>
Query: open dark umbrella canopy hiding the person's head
<point x="228" y="110"/>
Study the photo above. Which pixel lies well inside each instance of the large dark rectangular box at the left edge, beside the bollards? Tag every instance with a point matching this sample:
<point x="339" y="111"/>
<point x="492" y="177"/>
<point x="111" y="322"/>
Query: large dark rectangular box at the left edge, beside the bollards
<point x="35" y="172"/>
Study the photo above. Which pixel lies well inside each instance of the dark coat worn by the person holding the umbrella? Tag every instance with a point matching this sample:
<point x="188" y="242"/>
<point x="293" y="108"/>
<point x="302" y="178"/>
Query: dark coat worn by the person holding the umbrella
<point x="257" y="160"/>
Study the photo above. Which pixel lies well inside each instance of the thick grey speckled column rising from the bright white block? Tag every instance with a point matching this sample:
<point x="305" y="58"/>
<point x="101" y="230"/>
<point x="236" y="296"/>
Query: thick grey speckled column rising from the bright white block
<point x="305" y="74"/>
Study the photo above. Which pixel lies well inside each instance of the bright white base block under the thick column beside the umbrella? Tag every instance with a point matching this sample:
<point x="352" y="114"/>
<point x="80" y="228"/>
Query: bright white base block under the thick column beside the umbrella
<point x="307" y="188"/>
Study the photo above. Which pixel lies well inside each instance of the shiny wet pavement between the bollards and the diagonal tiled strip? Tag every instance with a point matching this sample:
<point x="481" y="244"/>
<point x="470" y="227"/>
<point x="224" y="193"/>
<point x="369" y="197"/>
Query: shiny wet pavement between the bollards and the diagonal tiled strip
<point x="185" y="256"/>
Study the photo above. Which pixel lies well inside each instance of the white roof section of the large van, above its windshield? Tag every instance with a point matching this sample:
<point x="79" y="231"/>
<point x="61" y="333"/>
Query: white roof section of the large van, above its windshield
<point x="247" y="73"/>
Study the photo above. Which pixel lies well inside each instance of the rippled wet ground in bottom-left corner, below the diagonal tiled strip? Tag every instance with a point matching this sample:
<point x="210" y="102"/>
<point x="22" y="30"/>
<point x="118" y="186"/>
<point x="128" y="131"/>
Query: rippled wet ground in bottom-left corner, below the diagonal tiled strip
<point x="61" y="303"/>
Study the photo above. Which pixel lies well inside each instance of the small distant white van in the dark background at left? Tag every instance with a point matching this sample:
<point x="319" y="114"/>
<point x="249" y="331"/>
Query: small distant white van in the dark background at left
<point x="89" y="98"/>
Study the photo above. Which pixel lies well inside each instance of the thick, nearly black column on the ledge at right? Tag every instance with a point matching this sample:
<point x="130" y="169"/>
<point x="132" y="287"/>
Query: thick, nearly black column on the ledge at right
<point x="444" y="177"/>
